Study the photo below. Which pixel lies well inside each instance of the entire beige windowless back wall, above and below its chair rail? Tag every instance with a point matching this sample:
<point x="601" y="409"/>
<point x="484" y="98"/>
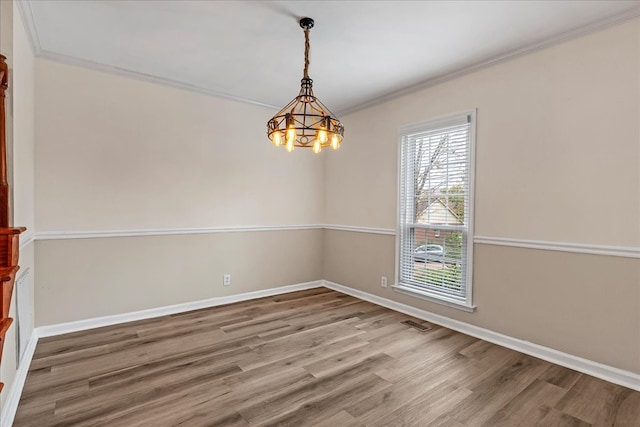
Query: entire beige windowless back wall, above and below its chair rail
<point x="117" y="153"/>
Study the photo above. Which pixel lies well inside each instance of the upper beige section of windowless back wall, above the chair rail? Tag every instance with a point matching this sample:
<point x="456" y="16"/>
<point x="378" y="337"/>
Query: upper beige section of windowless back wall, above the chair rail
<point x="118" y="153"/>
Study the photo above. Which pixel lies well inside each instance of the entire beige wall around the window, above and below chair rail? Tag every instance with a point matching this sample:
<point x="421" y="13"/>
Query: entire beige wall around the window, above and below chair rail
<point x="558" y="159"/>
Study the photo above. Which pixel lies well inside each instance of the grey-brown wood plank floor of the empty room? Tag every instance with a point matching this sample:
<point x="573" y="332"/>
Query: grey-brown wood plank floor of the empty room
<point x="310" y="358"/>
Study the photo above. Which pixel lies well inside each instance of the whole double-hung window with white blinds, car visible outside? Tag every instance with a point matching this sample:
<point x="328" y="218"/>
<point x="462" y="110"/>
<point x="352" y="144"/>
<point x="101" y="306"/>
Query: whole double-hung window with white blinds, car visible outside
<point x="435" y="236"/>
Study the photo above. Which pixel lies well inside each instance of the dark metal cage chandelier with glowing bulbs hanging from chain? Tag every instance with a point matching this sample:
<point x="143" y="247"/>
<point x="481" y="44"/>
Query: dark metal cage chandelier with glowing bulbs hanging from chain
<point x="305" y="121"/>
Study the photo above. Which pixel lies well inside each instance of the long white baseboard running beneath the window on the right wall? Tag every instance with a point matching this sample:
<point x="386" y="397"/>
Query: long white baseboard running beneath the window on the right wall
<point x="589" y="367"/>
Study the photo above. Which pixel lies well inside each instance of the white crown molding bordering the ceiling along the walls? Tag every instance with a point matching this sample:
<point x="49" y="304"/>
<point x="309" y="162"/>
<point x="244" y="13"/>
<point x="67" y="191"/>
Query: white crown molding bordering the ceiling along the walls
<point x="26" y="13"/>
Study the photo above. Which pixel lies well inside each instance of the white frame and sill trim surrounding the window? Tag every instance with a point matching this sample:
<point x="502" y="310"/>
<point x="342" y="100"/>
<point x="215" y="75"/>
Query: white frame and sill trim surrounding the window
<point x="459" y="303"/>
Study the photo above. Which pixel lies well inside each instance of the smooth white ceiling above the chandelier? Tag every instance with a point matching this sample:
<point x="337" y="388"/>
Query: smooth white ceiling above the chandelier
<point x="361" y="51"/>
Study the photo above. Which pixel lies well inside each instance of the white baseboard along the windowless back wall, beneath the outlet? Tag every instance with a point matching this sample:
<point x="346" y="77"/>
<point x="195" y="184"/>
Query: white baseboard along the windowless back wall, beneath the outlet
<point x="98" y="322"/>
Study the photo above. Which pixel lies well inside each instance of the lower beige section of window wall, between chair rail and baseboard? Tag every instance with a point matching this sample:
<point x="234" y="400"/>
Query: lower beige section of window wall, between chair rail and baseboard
<point x="585" y="305"/>
